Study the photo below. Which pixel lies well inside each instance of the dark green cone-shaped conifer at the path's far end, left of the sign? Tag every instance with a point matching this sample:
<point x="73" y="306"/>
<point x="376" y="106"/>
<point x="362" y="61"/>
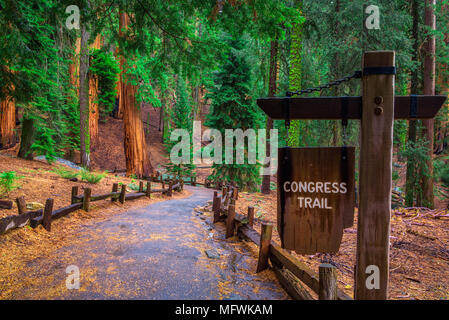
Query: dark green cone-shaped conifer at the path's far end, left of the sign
<point x="233" y="108"/>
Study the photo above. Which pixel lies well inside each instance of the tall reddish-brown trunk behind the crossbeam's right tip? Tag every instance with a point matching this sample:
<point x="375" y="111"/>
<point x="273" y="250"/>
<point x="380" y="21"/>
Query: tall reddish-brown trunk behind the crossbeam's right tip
<point x="429" y="89"/>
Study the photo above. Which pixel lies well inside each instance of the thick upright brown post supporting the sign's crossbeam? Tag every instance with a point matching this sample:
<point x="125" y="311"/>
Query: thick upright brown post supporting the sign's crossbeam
<point x="373" y="234"/>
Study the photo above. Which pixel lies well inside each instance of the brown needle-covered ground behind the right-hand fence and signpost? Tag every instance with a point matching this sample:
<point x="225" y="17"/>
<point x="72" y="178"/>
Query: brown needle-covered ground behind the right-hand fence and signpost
<point x="419" y="252"/>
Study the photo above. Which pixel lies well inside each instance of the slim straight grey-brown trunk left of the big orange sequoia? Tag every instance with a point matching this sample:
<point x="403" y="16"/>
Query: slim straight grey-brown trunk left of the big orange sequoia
<point x="84" y="99"/>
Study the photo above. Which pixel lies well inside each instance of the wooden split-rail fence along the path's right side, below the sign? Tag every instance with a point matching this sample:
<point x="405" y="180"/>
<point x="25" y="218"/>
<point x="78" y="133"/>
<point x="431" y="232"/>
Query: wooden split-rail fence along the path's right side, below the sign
<point x="291" y="273"/>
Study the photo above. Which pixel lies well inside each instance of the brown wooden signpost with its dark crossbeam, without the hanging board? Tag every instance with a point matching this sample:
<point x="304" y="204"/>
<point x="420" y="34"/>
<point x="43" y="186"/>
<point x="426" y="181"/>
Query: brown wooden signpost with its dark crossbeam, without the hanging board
<point x="377" y="109"/>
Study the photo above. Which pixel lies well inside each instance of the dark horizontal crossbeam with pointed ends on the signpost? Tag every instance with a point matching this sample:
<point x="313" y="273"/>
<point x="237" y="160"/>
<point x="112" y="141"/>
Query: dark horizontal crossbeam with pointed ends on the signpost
<point x="321" y="108"/>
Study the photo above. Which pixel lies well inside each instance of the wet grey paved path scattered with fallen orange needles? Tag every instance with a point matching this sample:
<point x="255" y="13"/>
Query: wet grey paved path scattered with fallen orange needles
<point x="155" y="252"/>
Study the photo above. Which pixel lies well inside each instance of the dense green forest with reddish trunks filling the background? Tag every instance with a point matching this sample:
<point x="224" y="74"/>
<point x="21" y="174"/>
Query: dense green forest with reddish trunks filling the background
<point x="210" y="60"/>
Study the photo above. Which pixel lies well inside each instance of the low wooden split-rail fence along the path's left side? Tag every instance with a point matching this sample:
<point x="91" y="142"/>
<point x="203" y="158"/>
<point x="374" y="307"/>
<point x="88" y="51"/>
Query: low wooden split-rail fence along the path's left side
<point x="46" y="215"/>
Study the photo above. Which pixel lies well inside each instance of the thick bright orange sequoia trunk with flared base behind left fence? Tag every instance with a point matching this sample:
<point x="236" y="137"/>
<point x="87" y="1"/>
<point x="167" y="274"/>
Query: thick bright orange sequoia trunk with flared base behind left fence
<point x="136" y="154"/>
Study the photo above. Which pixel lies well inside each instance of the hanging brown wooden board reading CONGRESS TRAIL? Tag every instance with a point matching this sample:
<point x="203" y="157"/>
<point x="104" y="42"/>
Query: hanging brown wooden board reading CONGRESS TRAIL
<point x="315" y="197"/>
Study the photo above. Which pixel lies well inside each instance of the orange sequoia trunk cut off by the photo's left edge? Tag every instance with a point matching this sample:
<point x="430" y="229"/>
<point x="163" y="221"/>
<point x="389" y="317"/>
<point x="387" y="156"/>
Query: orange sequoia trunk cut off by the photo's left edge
<point x="7" y="122"/>
